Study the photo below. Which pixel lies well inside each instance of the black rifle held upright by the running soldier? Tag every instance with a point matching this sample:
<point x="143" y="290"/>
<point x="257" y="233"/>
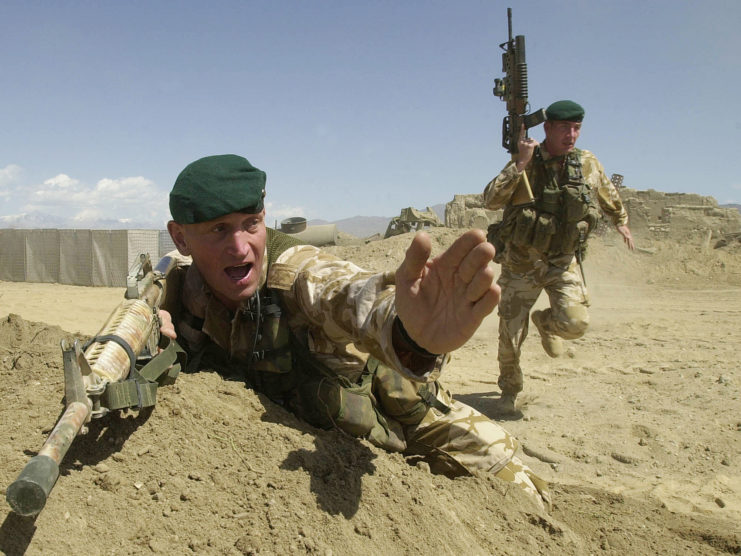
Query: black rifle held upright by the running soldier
<point x="513" y="90"/>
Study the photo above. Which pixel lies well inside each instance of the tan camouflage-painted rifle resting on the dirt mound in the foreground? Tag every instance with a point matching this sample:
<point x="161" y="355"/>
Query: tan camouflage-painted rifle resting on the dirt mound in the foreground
<point x="119" y="368"/>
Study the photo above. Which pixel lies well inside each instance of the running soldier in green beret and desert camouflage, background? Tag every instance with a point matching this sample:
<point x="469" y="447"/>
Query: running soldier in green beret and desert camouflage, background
<point x="540" y="243"/>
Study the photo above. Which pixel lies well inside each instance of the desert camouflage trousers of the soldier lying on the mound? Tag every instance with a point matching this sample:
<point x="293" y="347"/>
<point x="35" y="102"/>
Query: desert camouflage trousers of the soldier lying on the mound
<point x="452" y="437"/>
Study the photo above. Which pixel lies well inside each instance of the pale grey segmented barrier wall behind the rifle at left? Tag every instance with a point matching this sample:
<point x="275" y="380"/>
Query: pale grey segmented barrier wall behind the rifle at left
<point x="77" y="257"/>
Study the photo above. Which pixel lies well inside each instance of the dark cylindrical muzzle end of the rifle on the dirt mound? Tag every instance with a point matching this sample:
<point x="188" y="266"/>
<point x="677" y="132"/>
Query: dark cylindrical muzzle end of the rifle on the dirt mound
<point x="28" y="493"/>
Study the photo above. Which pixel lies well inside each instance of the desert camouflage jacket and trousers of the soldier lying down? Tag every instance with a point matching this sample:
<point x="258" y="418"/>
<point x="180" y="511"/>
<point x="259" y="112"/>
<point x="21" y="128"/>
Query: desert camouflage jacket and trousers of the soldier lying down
<point x="348" y="313"/>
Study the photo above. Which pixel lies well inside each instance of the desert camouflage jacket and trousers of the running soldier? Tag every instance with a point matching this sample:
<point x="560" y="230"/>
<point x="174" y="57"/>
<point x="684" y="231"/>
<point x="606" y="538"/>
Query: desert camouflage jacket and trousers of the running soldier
<point x="526" y="272"/>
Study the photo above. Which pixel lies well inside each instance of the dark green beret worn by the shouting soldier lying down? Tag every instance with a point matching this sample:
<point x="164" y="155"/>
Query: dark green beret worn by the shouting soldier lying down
<point x="214" y="186"/>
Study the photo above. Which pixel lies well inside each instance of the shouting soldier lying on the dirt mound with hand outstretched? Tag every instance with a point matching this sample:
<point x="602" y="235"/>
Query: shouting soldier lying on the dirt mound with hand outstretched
<point x="337" y="345"/>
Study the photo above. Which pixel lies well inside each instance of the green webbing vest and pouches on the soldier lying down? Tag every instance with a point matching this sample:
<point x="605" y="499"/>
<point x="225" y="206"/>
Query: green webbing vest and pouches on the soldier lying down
<point x="282" y="367"/>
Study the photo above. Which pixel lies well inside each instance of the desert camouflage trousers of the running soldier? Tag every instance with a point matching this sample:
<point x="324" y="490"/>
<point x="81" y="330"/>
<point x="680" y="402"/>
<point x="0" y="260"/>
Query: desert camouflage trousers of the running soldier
<point x="567" y="316"/>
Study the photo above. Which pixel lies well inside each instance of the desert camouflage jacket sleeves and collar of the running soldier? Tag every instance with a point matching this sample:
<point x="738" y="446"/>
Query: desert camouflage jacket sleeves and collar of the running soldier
<point x="499" y="190"/>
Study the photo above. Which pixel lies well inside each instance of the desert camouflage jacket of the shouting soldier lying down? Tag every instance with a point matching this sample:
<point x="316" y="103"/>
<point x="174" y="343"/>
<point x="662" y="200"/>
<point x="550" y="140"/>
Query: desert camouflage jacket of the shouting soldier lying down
<point x="345" y="312"/>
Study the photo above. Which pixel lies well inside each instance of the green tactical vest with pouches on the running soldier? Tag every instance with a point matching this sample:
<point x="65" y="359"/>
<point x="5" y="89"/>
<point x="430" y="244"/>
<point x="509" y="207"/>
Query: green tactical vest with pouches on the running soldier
<point x="562" y="216"/>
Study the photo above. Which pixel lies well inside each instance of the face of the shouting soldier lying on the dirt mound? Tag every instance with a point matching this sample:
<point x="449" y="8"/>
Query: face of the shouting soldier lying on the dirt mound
<point x="228" y="252"/>
